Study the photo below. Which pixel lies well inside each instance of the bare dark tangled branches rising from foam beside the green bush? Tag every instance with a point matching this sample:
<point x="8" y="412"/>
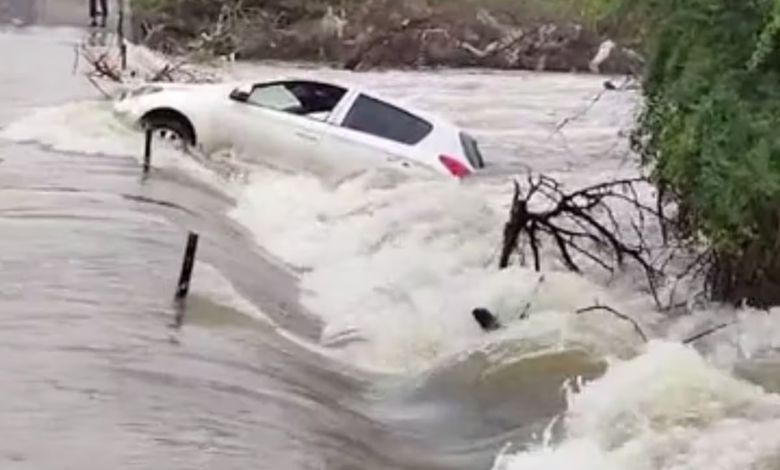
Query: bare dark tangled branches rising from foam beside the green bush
<point x="582" y="225"/>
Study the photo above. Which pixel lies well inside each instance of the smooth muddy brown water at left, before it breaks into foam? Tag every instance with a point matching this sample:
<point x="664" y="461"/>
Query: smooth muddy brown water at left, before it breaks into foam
<point x="92" y="374"/>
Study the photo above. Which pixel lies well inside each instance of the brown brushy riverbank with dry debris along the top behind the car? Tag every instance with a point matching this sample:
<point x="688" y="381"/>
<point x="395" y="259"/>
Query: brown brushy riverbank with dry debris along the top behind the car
<point x="369" y="34"/>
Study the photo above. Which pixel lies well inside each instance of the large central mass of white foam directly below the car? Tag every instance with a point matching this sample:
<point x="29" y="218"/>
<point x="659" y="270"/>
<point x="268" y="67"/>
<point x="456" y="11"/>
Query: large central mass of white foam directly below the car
<point x="397" y="270"/>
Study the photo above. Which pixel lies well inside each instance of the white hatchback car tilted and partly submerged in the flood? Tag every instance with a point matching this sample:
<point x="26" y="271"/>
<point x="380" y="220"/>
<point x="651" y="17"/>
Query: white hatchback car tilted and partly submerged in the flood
<point x="301" y="124"/>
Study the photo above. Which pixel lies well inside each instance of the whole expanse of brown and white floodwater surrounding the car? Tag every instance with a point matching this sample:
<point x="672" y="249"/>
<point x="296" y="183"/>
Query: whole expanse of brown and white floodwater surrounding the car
<point x="328" y="327"/>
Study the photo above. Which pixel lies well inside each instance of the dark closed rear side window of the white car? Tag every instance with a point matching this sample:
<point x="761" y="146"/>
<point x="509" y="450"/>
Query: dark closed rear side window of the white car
<point x="383" y="120"/>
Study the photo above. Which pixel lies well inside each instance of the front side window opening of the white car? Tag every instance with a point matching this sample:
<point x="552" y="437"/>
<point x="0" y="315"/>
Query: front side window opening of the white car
<point x="310" y="99"/>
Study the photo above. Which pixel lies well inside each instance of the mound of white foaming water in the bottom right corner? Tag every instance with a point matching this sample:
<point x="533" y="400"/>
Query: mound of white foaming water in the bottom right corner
<point x="667" y="409"/>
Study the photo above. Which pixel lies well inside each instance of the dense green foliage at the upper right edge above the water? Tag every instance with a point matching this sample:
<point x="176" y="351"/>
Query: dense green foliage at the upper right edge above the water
<point x="711" y="124"/>
